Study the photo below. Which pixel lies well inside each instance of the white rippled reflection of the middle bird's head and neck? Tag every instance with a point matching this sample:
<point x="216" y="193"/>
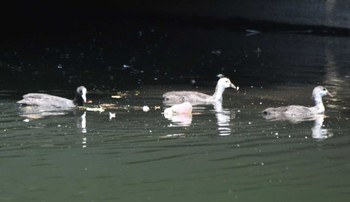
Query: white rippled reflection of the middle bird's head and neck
<point x="223" y="117"/>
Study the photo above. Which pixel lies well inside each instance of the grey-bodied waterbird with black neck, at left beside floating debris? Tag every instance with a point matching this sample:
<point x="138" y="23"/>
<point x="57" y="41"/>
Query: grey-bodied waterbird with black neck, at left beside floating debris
<point x="46" y="102"/>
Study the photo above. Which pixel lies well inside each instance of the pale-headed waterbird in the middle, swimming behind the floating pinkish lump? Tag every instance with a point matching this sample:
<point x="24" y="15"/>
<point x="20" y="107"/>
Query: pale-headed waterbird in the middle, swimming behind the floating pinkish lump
<point x="196" y="98"/>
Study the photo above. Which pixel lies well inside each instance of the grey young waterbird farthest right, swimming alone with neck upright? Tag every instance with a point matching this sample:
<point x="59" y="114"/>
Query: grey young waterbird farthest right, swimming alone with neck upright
<point x="297" y="112"/>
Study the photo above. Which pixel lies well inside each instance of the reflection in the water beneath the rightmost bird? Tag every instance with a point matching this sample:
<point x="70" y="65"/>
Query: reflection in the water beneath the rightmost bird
<point x="318" y="132"/>
